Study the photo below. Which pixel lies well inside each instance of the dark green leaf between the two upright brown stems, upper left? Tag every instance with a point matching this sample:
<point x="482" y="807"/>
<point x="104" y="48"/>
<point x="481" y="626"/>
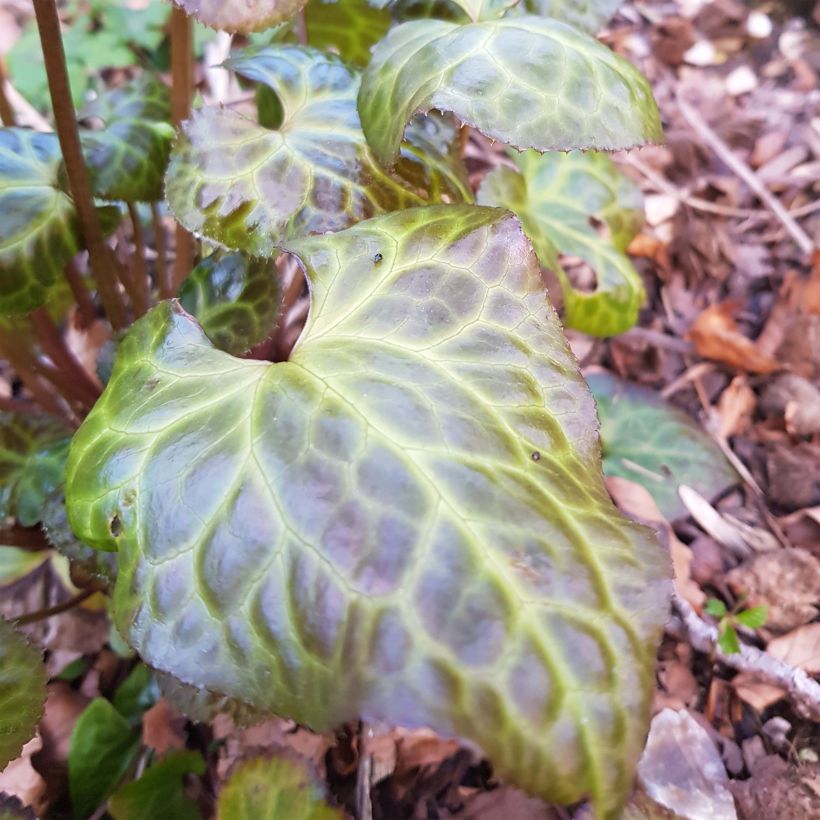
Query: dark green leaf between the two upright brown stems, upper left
<point x="128" y="156"/>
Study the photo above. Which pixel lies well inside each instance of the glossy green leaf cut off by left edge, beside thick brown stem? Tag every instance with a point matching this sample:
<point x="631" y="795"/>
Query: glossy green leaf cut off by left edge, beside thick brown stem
<point x="39" y="231"/>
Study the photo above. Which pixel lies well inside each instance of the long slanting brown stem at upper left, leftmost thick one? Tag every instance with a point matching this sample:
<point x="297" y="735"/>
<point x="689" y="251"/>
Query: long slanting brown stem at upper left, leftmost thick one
<point x="102" y="260"/>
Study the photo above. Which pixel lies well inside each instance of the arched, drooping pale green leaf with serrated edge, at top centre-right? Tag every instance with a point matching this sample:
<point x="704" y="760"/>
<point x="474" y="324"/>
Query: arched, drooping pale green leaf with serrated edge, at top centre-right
<point x="527" y="81"/>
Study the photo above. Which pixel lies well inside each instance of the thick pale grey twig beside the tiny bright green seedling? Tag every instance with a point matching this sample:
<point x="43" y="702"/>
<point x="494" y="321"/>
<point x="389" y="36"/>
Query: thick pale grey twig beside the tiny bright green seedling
<point x="803" y="690"/>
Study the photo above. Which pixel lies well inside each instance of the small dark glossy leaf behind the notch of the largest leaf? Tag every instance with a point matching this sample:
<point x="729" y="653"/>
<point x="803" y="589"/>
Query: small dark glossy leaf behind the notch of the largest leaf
<point x="235" y="298"/>
